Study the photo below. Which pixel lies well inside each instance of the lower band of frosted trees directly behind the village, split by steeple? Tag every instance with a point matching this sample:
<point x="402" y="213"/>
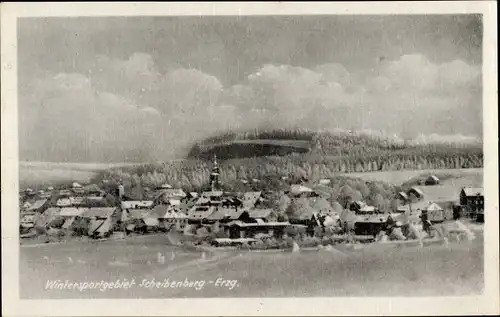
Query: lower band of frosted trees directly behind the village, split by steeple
<point x="194" y="174"/>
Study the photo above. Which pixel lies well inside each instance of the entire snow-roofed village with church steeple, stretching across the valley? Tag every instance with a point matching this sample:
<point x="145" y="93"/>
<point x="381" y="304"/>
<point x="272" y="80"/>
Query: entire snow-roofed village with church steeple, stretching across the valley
<point x="222" y="218"/>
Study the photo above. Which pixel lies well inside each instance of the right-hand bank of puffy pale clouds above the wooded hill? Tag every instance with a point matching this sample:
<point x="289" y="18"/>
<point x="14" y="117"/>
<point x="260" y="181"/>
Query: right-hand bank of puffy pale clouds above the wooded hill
<point x="387" y="98"/>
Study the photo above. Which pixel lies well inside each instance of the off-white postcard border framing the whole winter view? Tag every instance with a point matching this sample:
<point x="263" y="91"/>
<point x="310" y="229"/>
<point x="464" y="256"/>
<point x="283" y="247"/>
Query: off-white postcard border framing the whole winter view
<point x="13" y="306"/>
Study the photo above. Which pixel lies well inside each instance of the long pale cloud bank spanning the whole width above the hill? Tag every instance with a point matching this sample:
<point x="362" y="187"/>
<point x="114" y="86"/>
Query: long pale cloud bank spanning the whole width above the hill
<point x="127" y="109"/>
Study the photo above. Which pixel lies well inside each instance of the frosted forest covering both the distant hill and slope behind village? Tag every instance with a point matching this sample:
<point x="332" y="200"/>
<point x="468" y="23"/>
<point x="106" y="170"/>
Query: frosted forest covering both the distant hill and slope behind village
<point x="332" y="153"/>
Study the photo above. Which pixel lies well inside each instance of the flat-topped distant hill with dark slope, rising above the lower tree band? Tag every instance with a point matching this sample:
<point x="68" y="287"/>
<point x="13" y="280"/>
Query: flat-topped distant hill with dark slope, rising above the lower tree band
<point x="337" y="142"/>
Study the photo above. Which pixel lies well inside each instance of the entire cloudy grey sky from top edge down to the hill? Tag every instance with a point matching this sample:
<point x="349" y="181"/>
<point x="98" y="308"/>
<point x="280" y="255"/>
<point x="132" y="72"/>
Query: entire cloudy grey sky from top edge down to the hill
<point x="140" y="89"/>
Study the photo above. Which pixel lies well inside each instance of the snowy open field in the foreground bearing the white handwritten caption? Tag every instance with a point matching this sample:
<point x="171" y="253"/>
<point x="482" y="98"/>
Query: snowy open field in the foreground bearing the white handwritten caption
<point x="158" y="270"/>
